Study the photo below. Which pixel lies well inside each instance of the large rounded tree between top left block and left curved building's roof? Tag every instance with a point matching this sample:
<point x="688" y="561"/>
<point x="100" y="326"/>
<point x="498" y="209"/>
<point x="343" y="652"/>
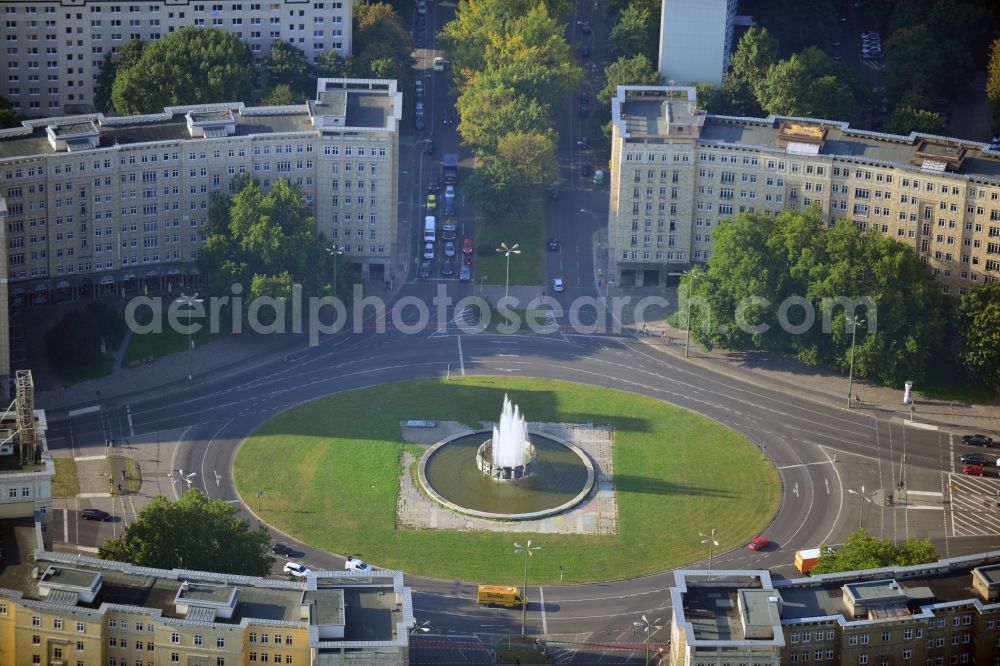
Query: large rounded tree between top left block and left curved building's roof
<point x="190" y="66"/>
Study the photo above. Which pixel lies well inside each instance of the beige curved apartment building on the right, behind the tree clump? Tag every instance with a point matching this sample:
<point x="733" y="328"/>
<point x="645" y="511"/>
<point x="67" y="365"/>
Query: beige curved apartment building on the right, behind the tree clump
<point x="676" y="172"/>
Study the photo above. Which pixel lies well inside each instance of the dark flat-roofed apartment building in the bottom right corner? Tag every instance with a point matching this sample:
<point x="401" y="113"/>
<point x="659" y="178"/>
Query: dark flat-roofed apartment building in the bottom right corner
<point x="931" y="614"/>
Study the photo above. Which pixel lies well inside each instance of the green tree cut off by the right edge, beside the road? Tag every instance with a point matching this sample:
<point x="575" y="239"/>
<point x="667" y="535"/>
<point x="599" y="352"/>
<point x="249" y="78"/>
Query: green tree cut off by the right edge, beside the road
<point x="979" y="317"/>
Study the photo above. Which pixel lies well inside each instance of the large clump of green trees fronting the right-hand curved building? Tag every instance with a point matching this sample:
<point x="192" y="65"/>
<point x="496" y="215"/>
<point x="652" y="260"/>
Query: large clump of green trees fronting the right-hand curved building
<point x="759" y="262"/>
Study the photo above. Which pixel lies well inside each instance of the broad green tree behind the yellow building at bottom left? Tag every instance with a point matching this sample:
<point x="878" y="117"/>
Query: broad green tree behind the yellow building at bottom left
<point x="192" y="533"/>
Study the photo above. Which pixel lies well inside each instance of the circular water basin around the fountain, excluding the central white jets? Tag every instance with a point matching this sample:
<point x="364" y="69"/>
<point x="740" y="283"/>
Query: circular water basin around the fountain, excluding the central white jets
<point x="563" y="476"/>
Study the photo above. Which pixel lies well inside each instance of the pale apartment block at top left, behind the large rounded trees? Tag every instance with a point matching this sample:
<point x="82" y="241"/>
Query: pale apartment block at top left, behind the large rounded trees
<point x="53" y="52"/>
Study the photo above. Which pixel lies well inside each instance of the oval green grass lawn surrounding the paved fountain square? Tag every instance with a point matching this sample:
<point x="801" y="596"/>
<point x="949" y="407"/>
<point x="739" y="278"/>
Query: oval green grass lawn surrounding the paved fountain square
<point x="330" y="470"/>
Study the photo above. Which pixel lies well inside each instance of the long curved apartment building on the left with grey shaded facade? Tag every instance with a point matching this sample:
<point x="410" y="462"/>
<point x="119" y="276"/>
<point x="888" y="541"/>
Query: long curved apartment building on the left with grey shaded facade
<point x="116" y="205"/>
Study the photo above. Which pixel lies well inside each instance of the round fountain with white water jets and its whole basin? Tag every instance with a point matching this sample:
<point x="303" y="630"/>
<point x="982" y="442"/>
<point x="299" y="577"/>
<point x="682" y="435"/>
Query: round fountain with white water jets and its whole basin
<point x="515" y="474"/>
